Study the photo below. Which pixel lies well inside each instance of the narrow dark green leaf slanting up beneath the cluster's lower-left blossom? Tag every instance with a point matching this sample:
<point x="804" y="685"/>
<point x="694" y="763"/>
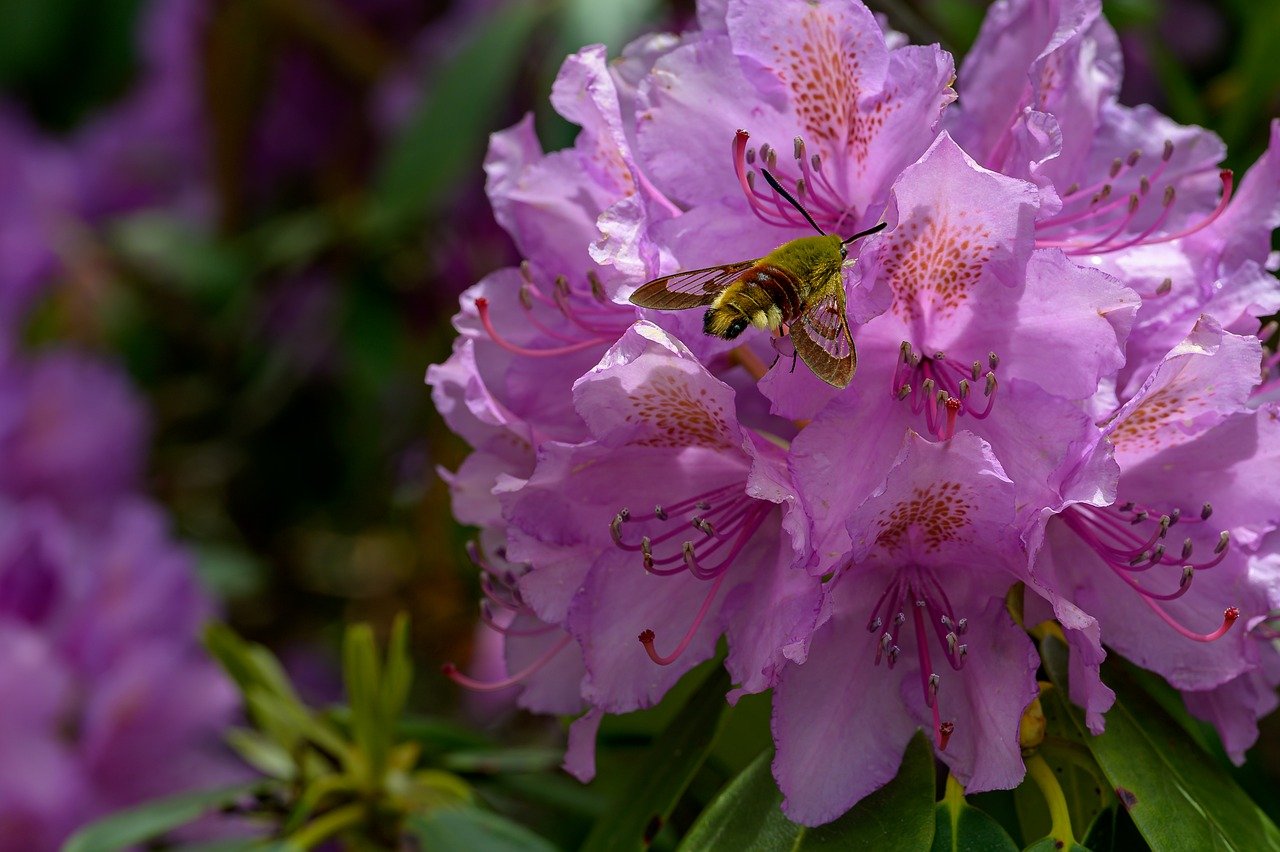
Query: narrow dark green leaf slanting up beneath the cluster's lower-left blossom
<point x="636" y="817"/>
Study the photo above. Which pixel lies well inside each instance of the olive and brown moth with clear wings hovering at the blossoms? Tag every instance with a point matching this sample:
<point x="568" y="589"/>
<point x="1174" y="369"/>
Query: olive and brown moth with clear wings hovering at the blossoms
<point x="796" y="290"/>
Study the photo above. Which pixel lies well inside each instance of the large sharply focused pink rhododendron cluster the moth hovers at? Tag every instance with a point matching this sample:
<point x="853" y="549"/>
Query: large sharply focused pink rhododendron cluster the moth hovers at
<point x="1062" y="384"/>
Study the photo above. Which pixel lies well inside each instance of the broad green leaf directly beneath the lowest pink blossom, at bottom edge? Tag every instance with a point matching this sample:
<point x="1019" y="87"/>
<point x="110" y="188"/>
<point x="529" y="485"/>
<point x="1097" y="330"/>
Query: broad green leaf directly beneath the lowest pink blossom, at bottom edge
<point x="747" y="814"/>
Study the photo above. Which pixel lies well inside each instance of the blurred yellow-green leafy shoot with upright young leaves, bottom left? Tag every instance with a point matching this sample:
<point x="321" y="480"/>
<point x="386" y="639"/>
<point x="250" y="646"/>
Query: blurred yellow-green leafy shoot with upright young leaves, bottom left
<point x="354" y="775"/>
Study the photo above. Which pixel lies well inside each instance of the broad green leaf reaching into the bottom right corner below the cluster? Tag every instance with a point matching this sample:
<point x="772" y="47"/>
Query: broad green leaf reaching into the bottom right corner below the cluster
<point x="1177" y="795"/>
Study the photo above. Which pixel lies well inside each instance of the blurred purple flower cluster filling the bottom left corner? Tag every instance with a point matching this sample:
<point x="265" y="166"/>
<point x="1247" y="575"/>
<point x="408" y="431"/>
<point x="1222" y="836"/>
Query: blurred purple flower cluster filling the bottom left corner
<point x="112" y="700"/>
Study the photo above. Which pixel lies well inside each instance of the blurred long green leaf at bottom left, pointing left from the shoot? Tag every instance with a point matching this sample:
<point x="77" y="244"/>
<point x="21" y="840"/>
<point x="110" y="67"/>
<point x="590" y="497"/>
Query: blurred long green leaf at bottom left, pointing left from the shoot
<point x="153" y="819"/>
